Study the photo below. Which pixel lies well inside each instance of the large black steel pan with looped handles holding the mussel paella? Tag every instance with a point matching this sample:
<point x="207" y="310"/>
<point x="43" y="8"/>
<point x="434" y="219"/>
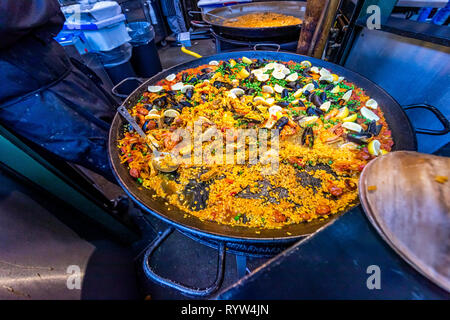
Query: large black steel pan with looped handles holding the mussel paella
<point x="240" y="239"/>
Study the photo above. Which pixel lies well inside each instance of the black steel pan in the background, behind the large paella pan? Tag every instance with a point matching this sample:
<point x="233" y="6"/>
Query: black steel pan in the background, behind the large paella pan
<point x="291" y="8"/>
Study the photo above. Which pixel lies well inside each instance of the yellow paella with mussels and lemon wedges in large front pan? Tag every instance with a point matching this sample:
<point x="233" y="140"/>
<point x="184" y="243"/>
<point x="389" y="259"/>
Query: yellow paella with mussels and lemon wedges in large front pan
<point x="261" y="143"/>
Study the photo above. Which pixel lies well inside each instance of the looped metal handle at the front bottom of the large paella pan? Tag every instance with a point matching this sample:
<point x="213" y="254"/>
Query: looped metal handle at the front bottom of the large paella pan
<point x="184" y="289"/>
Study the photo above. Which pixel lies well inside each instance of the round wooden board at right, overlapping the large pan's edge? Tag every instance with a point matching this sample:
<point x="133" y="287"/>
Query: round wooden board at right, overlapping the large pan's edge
<point x="411" y="209"/>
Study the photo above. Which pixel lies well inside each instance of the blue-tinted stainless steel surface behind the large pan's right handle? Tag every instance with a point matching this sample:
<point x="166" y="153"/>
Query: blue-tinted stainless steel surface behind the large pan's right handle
<point x="410" y="70"/>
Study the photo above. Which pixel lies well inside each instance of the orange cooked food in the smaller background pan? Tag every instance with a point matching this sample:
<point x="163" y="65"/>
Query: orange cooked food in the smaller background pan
<point x="262" y="20"/>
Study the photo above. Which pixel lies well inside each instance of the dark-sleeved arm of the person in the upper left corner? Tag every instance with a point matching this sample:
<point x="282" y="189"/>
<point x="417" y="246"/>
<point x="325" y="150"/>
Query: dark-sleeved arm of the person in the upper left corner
<point x="20" y="17"/>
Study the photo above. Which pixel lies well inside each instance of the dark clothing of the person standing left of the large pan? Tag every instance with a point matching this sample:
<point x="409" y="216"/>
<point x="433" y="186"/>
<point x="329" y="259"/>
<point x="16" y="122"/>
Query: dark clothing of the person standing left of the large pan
<point x="43" y="96"/>
